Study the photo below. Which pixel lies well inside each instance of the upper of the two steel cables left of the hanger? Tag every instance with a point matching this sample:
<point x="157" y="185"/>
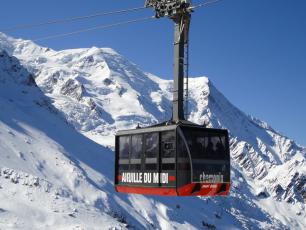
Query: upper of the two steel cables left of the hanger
<point x="73" y="19"/>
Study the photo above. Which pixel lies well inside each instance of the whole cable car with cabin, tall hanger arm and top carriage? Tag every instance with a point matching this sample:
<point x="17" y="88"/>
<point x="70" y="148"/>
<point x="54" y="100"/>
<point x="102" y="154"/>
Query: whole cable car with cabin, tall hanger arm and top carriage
<point x="177" y="157"/>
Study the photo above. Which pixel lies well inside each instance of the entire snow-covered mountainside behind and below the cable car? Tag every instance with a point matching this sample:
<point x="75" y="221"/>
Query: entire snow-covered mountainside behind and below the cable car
<point x="59" y="111"/>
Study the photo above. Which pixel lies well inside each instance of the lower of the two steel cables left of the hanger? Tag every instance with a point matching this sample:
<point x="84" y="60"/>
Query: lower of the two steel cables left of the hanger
<point x="94" y="28"/>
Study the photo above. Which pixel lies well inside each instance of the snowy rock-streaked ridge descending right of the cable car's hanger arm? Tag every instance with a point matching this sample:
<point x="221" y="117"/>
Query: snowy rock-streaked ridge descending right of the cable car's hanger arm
<point x="275" y="162"/>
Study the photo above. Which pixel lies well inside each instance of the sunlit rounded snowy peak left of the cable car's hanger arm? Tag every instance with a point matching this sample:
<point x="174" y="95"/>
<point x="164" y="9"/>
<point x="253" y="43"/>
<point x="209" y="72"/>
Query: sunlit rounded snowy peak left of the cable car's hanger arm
<point x="98" y="84"/>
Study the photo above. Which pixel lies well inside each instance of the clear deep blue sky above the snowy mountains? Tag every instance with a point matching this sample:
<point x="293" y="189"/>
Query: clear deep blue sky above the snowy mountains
<point x="253" y="51"/>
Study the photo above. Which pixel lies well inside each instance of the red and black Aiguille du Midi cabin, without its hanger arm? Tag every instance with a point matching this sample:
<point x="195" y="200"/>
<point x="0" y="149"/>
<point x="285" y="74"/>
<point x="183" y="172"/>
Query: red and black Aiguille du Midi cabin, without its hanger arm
<point x="173" y="160"/>
